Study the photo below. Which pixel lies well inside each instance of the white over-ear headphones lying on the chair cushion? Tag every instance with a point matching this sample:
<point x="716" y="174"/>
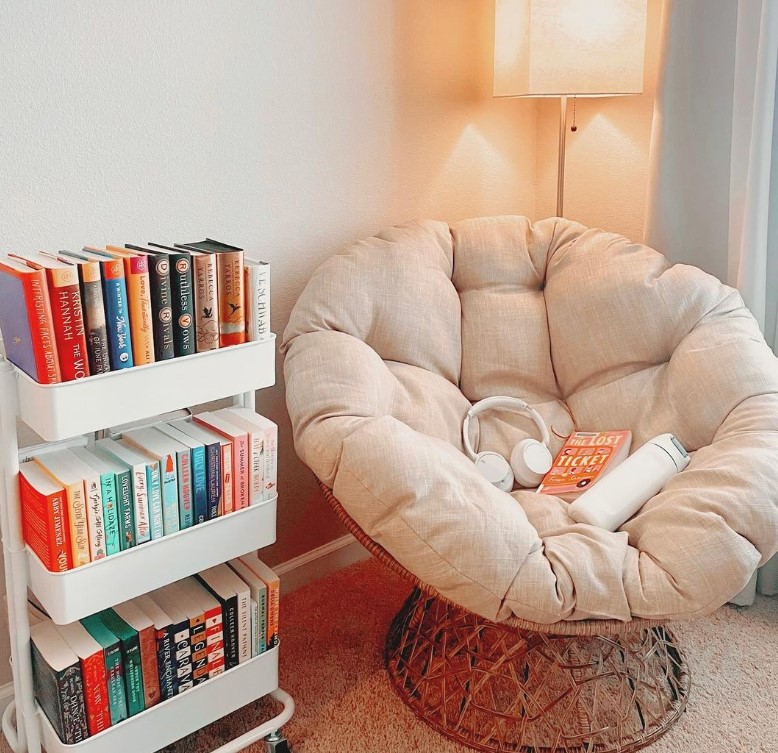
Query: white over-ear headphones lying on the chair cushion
<point x="530" y="459"/>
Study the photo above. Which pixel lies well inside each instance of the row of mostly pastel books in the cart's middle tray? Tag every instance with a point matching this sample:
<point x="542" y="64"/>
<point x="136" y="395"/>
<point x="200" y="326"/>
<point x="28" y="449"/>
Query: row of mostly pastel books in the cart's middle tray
<point x="82" y="504"/>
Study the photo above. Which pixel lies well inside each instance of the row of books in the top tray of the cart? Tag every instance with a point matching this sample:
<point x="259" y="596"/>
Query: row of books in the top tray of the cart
<point x="68" y="315"/>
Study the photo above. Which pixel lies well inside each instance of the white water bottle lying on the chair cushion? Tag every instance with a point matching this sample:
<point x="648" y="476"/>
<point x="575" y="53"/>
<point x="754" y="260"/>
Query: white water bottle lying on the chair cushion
<point x="617" y="496"/>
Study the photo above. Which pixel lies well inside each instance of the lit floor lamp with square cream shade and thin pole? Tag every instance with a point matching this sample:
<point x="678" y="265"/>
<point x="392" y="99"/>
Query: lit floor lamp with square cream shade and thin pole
<point x="568" y="48"/>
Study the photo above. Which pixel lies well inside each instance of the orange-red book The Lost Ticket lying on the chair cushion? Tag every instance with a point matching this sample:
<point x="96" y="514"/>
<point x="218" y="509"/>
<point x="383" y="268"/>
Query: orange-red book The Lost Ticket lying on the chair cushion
<point x="585" y="457"/>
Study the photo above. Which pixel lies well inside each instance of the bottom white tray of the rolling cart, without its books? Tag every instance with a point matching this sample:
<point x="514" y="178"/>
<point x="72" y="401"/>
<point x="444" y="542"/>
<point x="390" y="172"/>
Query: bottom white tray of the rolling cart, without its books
<point x="179" y="716"/>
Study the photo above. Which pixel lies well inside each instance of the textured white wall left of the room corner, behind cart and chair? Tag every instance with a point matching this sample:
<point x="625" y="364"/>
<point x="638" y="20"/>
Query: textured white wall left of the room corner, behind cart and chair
<point x="290" y="127"/>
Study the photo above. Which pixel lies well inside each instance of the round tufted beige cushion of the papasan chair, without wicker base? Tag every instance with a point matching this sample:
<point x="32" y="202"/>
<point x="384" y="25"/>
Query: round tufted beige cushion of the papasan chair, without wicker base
<point x="391" y="342"/>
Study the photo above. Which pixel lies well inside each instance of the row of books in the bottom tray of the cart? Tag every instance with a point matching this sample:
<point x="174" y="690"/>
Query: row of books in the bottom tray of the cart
<point x="92" y="674"/>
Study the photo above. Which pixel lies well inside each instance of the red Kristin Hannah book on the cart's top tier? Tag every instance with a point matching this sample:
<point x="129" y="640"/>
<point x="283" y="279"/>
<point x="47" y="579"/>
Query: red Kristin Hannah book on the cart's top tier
<point x="67" y="313"/>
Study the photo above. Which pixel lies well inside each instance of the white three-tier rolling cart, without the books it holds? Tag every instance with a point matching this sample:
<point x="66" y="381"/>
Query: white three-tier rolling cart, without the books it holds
<point x="69" y="410"/>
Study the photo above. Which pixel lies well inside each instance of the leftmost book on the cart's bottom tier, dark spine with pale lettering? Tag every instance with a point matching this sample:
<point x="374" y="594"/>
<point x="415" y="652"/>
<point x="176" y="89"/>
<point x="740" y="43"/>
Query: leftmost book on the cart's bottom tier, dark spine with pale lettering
<point x="58" y="683"/>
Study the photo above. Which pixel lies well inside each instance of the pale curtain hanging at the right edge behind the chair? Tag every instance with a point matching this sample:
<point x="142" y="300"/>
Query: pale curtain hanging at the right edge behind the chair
<point x="713" y="176"/>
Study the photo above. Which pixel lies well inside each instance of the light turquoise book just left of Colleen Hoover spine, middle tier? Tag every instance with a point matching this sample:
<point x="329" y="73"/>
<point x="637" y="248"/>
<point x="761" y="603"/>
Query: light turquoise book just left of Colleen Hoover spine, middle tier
<point x="165" y="450"/>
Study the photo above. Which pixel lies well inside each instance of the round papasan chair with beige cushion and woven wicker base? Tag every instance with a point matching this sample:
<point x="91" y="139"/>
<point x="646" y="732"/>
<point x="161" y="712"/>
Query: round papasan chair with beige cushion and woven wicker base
<point x="526" y="631"/>
